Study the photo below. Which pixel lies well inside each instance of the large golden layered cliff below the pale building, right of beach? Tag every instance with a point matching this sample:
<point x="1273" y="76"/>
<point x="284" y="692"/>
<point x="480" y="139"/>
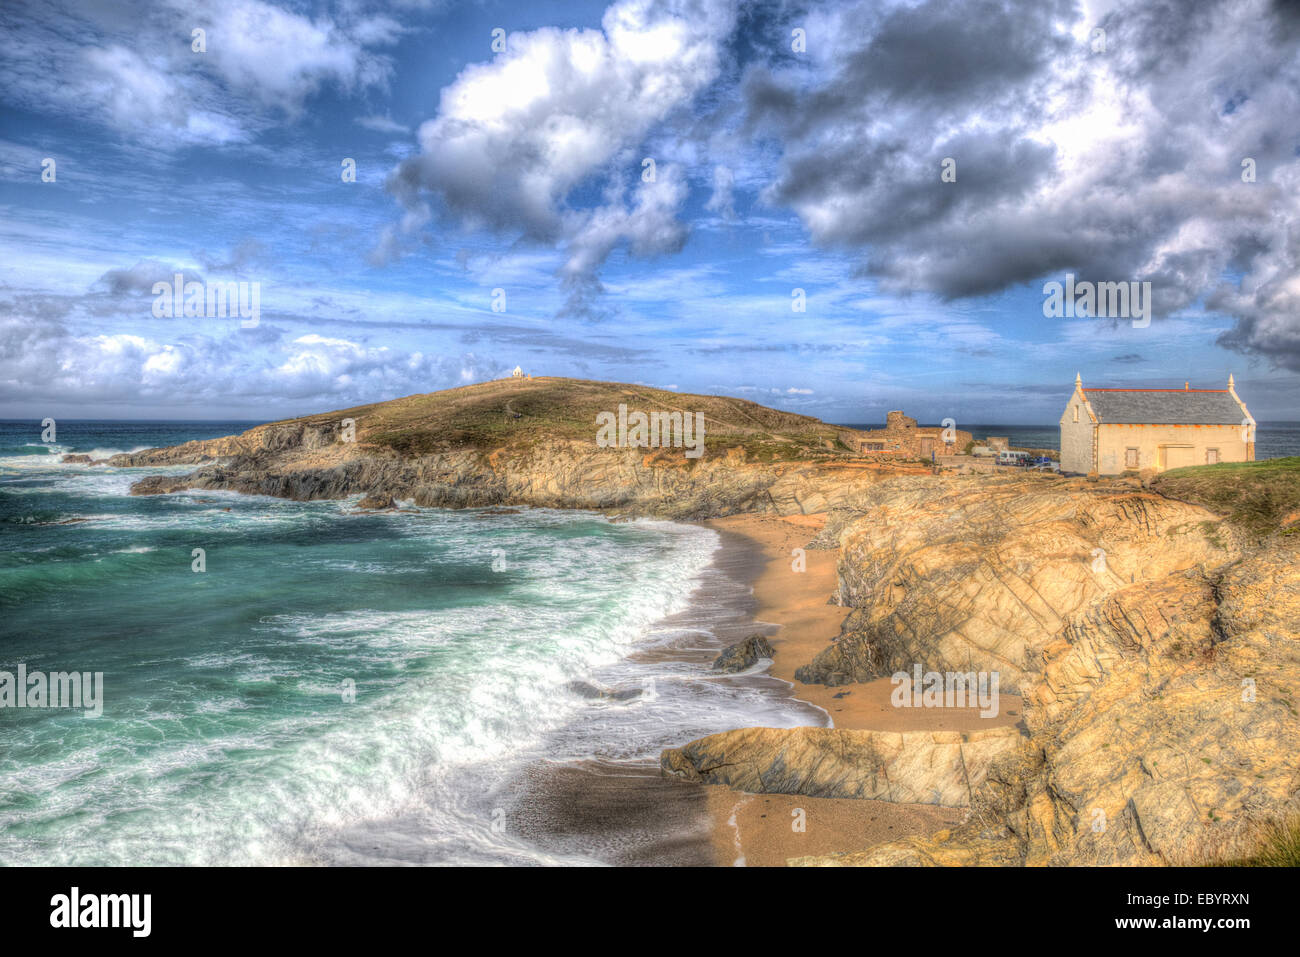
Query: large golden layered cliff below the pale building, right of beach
<point x="1162" y="687"/>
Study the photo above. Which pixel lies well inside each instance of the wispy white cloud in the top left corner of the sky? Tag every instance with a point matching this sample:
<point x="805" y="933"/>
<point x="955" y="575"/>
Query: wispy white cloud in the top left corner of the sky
<point x="133" y="67"/>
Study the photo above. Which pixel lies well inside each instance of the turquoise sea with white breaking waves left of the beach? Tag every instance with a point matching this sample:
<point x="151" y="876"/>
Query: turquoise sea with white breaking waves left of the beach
<point x="228" y="734"/>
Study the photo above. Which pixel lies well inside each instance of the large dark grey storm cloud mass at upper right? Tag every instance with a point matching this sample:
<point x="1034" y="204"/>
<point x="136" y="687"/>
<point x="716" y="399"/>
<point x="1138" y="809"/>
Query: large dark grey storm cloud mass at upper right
<point x="1116" y="164"/>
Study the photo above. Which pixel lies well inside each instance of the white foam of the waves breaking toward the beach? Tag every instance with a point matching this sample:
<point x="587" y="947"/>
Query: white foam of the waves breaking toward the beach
<point x="470" y="696"/>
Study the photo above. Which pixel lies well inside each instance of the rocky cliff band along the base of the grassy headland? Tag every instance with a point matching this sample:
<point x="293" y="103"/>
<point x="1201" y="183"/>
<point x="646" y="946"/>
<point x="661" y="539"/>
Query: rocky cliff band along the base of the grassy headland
<point x="311" y="462"/>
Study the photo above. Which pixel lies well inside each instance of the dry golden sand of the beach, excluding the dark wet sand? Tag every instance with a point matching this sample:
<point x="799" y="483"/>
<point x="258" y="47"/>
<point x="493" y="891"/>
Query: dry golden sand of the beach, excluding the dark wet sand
<point x="794" y="609"/>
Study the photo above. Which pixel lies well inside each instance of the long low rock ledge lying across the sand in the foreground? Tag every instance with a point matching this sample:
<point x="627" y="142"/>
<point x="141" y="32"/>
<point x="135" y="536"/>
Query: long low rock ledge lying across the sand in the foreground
<point x="942" y="768"/>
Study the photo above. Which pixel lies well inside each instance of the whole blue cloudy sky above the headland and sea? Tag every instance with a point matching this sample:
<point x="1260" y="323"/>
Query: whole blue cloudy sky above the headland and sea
<point x="647" y="193"/>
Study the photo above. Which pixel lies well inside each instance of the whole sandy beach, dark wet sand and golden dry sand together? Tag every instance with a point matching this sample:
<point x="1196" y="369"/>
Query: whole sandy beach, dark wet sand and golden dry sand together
<point x="627" y="813"/>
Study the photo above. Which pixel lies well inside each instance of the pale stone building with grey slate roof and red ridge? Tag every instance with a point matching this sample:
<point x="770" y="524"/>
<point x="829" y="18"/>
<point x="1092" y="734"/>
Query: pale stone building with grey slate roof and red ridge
<point x="1115" y="431"/>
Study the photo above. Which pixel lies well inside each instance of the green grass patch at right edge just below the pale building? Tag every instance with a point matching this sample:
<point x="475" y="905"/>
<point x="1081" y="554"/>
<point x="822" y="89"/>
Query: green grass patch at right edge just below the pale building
<point x="1255" y="496"/>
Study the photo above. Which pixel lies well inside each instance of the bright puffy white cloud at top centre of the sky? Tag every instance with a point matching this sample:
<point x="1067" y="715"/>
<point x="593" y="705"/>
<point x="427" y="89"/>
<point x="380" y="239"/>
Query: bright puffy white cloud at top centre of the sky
<point x="515" y="137"/>
